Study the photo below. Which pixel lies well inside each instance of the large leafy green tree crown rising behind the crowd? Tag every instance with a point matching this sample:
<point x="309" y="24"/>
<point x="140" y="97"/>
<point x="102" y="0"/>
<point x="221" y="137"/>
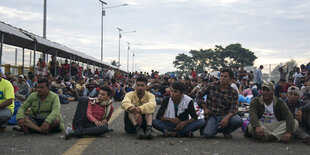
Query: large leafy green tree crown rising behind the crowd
<point x="233" y="55"/>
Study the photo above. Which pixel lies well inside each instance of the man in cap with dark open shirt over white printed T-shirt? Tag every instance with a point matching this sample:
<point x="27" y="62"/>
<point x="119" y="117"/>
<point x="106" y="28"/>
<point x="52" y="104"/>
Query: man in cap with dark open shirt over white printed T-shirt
<point x="270" y="117"/>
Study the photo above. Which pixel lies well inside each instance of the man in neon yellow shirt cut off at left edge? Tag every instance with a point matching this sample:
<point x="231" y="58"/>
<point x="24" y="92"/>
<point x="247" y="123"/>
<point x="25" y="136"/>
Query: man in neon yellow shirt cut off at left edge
<point x="6" y="102"/>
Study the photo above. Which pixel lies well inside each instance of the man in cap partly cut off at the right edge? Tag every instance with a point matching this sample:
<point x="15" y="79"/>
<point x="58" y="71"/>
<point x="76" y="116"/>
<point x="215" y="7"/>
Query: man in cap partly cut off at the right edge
<point x="301" y="112"/>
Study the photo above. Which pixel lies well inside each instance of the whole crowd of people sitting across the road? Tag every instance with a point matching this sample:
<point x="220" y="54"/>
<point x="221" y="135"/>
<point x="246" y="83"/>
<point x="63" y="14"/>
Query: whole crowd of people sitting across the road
<point x="233" y="99"/>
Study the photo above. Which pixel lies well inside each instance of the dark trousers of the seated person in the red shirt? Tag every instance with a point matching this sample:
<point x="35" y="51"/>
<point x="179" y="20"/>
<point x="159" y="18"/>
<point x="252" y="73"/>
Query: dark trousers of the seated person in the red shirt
<point x="81" y="124"/>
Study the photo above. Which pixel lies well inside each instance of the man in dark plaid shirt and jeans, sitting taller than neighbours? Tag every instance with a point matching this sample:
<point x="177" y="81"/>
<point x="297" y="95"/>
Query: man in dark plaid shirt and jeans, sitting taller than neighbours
<point x="221" y="106"/>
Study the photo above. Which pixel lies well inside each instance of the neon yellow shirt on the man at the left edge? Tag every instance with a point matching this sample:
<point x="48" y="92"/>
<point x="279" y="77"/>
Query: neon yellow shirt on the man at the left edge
<point x="7" y="92"/>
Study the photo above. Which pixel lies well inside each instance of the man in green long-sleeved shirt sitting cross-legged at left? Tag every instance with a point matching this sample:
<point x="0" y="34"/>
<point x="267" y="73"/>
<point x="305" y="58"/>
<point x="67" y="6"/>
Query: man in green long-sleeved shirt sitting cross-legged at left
<point x="44" y="116"/>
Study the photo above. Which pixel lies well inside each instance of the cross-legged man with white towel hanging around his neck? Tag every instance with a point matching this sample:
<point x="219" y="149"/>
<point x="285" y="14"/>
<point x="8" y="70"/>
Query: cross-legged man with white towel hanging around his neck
<point x="173" y="116"/>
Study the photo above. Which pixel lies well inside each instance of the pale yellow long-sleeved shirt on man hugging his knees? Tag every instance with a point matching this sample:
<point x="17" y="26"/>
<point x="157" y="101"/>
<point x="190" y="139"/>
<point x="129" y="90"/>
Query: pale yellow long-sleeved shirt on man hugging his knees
<point x="147" y="104"/>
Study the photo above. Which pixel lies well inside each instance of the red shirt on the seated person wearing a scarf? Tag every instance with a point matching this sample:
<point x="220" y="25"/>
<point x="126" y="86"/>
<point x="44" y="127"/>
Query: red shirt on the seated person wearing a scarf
<point x="95" y="112"/>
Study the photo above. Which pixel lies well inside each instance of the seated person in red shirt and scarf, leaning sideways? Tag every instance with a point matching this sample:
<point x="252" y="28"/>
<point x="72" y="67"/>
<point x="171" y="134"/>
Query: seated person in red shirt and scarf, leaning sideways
<point x="92" y="115"/>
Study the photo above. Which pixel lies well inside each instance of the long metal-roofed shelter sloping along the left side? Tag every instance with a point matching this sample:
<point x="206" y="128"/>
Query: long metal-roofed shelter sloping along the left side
<point x="18" y="37"/>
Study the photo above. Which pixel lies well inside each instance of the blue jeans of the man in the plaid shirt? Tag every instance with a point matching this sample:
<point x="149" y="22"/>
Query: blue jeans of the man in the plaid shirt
<point x="212" y="126"/>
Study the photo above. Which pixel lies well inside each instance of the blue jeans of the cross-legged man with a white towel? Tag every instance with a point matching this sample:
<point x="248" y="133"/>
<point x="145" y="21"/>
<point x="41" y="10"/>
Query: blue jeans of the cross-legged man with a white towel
<point x="168" y="126"/>
